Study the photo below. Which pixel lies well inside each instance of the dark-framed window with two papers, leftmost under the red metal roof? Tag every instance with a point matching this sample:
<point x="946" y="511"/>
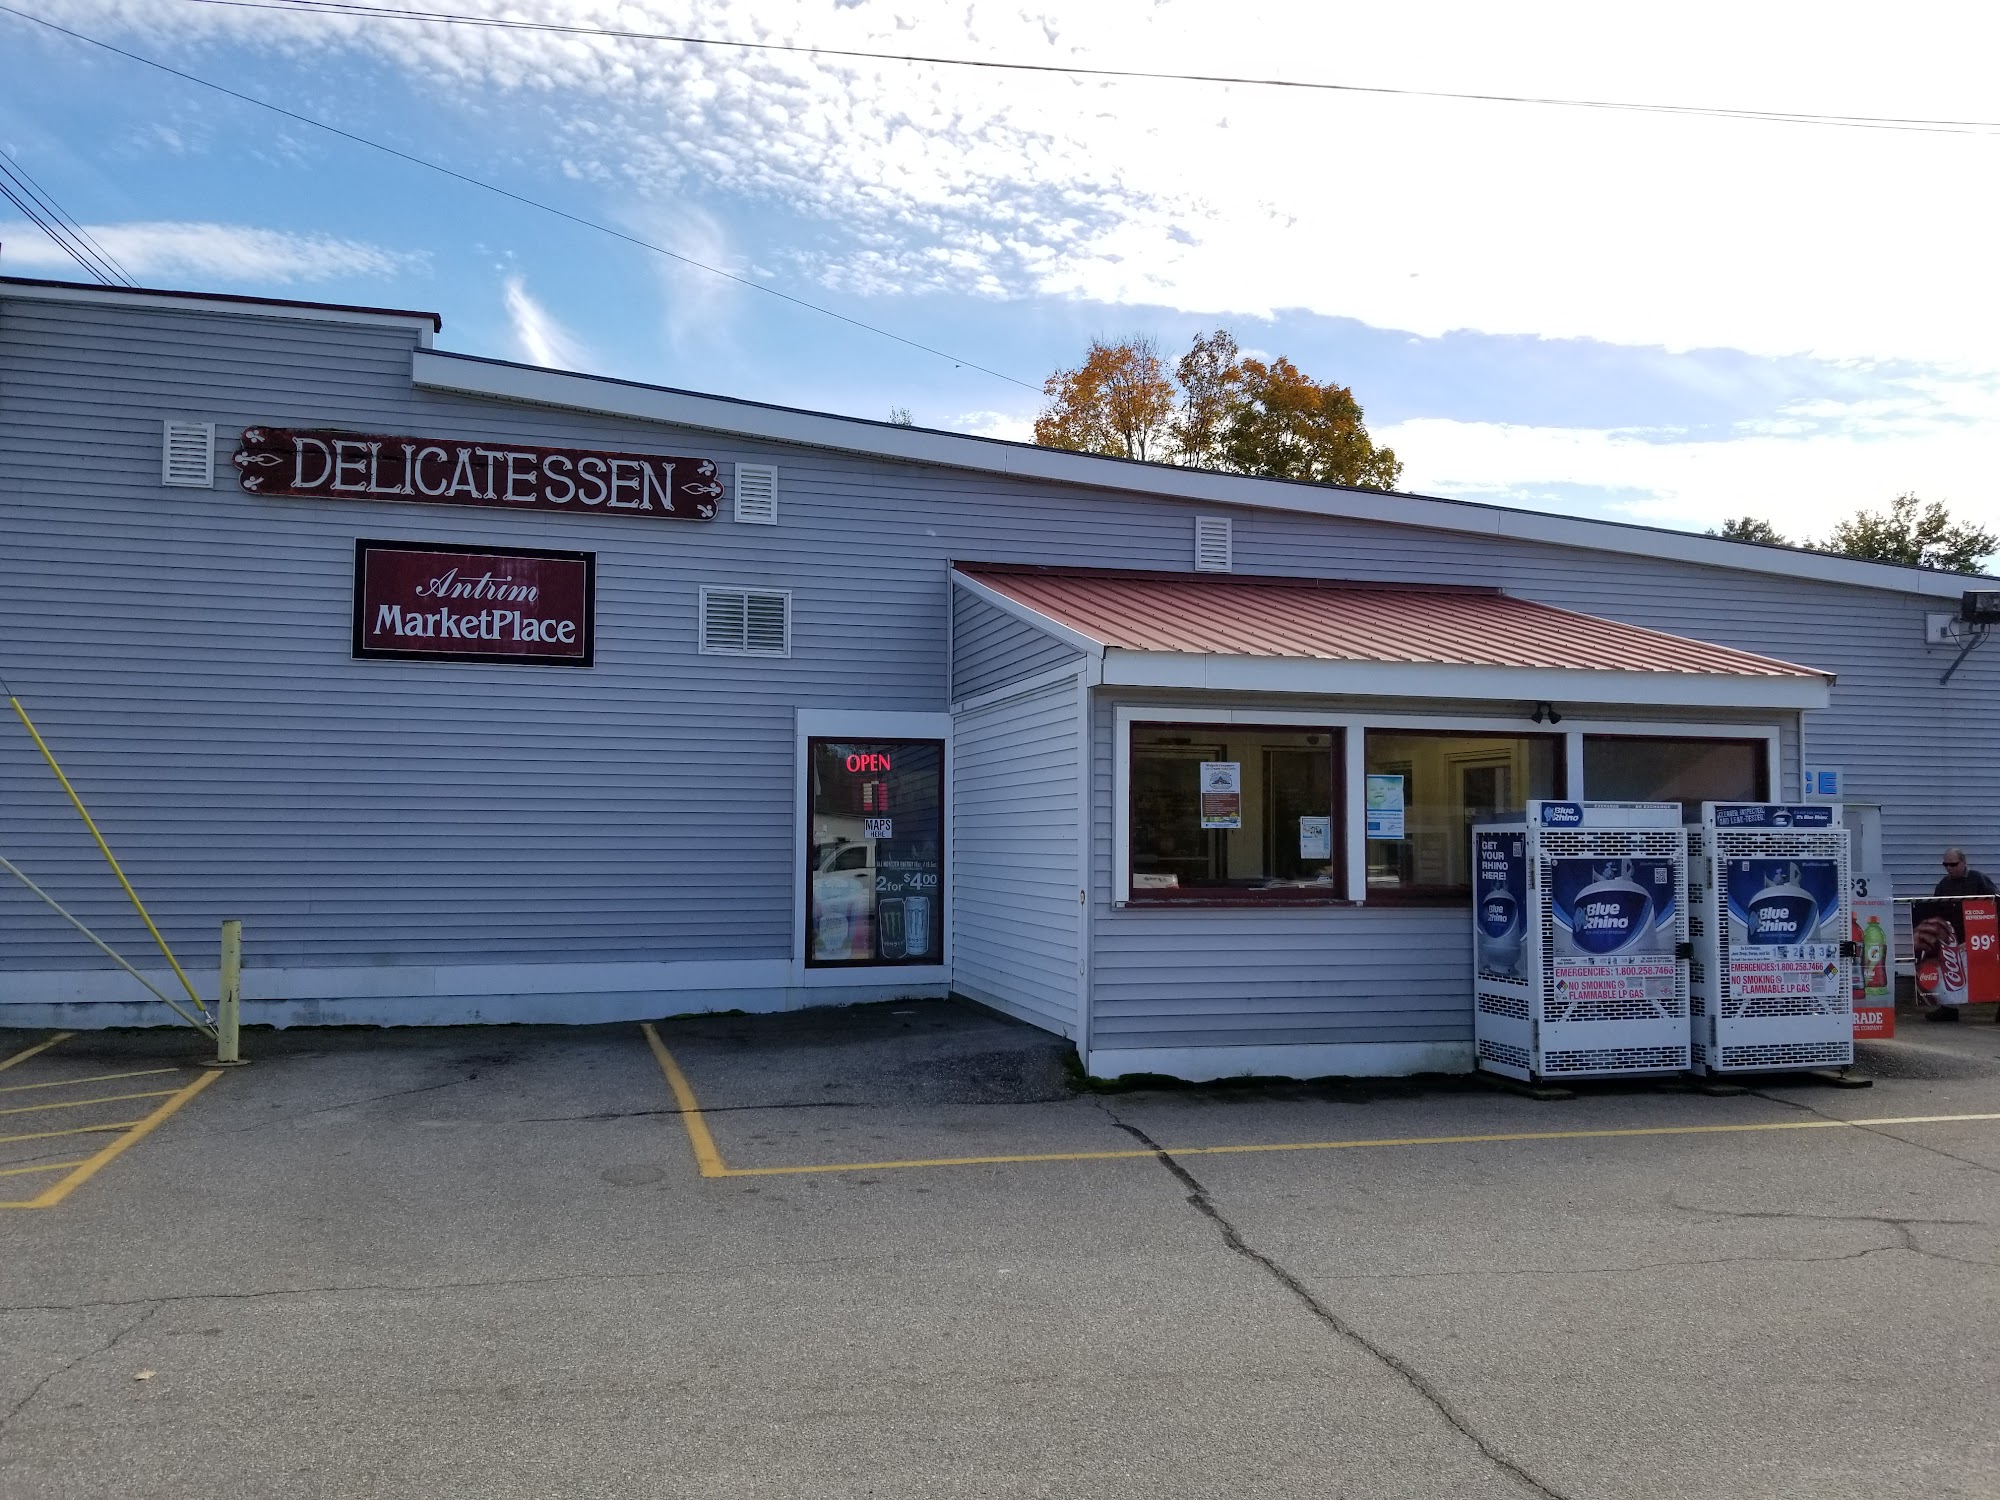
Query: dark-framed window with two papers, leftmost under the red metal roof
<point x="1235" y="813"/>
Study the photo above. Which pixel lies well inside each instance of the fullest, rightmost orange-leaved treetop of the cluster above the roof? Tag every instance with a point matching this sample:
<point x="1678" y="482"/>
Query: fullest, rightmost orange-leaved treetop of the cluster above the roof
<point x="1283" y="425"/>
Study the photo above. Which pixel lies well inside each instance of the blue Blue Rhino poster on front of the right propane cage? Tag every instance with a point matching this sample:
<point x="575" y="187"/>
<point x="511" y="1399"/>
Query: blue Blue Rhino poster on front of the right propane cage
<point x="1785" y="929"/>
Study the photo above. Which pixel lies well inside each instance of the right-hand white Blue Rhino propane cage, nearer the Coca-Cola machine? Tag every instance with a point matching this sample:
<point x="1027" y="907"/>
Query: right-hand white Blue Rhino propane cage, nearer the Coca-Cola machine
<point x="1773" y="939"/>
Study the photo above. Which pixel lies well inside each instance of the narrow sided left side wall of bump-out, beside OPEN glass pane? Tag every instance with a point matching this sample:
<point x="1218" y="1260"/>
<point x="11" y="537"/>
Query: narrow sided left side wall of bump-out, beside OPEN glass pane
<point x="1017" y="855"/>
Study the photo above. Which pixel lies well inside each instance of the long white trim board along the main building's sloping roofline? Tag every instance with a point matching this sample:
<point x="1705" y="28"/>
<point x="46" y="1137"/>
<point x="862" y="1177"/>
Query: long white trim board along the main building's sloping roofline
<point x="519" y="383"/>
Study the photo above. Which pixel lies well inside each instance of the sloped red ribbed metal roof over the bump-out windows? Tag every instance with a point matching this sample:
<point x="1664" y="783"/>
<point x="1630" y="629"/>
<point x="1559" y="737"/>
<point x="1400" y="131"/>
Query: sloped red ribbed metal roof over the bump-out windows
<point x="1353" y="623"/>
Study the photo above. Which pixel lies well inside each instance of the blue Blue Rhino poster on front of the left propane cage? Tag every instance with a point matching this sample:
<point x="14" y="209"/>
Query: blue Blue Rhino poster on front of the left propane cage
<point x="1615" y="931"/>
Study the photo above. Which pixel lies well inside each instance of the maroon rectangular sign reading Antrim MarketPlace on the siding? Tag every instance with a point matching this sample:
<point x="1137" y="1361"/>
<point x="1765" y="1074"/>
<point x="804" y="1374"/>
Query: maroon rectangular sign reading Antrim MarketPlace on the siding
<point x="441" y="603"/>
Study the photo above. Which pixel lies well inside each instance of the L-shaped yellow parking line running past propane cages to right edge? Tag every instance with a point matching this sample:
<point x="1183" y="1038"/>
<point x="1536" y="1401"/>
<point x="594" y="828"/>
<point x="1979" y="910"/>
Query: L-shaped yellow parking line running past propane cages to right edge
<point x="713" y="1167"/>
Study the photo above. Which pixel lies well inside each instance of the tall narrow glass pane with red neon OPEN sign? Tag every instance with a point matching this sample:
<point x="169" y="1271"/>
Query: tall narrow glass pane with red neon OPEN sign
<point x="875" y="853"/>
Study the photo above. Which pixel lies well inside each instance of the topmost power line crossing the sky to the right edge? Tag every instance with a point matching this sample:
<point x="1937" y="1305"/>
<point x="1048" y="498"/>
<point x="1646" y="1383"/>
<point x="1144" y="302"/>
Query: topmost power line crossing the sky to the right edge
<point x="1073" y="71"/>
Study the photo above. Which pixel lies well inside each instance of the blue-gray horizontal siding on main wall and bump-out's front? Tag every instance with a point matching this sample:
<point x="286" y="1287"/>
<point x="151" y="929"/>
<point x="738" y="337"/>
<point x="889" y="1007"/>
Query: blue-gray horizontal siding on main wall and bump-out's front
<point x="189" y="657"/>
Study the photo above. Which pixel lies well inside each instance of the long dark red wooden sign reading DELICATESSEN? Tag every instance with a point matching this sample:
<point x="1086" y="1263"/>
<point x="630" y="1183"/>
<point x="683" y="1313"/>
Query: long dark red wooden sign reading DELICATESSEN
<point x="445" y="473"/>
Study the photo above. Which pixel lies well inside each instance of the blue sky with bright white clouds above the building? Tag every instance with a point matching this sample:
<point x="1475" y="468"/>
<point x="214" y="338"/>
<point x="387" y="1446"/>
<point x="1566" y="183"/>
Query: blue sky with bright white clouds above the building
<point x="1649" y="317"/>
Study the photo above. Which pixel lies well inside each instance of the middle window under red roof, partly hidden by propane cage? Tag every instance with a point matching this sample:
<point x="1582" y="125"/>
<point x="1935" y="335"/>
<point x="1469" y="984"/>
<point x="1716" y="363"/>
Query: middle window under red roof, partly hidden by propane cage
<point x="1427" y="791"/>
